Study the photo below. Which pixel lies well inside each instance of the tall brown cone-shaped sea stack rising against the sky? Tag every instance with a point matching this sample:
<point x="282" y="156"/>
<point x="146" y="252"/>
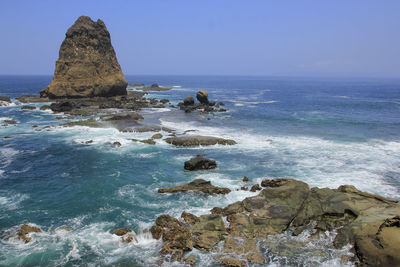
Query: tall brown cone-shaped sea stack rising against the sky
<point x="87" y="65"/>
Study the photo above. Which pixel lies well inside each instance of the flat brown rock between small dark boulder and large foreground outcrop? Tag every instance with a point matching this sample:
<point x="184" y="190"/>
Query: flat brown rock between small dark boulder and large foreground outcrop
<point x="198" y="185"/>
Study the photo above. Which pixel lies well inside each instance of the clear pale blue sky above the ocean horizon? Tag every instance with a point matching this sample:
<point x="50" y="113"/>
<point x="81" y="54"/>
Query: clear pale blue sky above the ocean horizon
<point x="281" y="37"/>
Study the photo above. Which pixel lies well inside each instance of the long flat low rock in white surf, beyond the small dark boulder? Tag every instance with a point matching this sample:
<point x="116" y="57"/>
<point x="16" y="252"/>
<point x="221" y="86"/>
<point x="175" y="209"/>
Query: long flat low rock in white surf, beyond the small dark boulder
<point x="197" y="140"/>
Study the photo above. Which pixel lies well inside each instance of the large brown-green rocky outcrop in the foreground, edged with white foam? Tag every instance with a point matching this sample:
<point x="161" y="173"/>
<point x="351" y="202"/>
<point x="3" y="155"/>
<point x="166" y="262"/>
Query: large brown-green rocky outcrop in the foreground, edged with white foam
<point x="369" y="222"/>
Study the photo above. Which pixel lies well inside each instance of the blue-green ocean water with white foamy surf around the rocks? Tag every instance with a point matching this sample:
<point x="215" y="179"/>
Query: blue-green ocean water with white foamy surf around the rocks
<point x="324" y="131"/>
